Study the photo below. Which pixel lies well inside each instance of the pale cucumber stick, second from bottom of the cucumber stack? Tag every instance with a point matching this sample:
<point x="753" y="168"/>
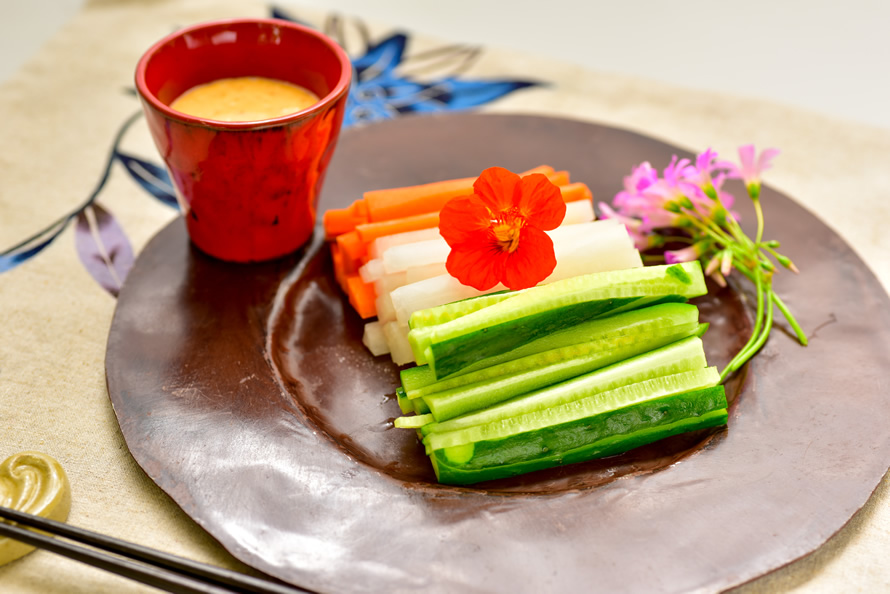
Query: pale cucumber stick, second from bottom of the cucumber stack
<point x="685" y="356"/>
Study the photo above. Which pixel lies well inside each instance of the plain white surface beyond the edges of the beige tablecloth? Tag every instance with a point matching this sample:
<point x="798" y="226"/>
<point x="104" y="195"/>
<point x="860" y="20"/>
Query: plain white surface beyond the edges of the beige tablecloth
<point x="831" y="57"/>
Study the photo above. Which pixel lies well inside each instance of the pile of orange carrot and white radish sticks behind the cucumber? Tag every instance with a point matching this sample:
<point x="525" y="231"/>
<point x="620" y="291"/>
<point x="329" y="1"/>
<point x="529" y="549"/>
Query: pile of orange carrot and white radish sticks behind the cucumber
<point x="389" y="258"/>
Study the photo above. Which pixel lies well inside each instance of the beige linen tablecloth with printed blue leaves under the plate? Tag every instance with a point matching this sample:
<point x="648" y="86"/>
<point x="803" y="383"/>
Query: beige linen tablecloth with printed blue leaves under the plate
<point x="58" y="118"/>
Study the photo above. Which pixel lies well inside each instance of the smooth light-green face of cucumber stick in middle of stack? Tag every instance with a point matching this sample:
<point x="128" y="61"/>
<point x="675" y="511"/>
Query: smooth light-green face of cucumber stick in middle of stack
<point x="448" y="404"/>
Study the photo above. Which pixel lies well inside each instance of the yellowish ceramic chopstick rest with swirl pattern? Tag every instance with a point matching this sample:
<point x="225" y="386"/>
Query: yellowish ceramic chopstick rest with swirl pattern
<point x="35" y="483"/>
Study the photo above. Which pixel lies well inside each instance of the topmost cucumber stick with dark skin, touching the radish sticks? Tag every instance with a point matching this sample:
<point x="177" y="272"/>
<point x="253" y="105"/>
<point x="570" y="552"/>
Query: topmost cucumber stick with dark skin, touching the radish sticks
<point x="503" y="326"/>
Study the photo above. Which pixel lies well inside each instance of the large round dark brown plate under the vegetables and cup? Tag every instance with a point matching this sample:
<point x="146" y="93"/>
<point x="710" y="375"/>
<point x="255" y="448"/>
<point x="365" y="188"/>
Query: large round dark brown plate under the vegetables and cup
<point x="244" y="393"/>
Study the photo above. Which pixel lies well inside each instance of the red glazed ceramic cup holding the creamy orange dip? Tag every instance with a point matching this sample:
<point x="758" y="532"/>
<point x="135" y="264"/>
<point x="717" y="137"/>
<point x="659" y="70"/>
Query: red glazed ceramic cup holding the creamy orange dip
<point x="248" y="190"/>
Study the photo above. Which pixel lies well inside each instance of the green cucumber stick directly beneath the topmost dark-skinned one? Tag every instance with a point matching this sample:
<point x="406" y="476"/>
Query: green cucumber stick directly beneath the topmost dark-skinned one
<point x="654" y="319"/>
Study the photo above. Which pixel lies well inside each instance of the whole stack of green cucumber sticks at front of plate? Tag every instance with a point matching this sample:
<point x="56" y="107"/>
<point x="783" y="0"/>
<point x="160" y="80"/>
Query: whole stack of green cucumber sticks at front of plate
<point x="578" y="369"/>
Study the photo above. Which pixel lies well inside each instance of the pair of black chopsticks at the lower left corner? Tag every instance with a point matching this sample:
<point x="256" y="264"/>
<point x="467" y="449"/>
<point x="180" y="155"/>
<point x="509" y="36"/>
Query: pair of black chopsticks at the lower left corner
<point x="155" y="568"/>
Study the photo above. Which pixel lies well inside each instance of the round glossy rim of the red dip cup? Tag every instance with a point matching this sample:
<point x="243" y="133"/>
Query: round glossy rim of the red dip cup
<point x="322" y="104"/>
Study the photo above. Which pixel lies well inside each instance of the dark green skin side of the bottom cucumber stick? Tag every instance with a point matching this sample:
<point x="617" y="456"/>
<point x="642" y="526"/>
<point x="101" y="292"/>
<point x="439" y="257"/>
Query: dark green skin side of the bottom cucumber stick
<point x="606" y="434"/>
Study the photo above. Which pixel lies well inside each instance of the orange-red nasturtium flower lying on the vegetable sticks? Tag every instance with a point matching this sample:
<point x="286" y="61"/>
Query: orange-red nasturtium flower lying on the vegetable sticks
<point x="497" y="233"/>
